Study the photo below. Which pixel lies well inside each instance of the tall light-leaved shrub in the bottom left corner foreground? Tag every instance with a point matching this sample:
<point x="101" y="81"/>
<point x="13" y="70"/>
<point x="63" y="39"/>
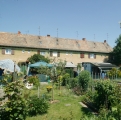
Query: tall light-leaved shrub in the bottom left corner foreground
<point x="16" y="105"/>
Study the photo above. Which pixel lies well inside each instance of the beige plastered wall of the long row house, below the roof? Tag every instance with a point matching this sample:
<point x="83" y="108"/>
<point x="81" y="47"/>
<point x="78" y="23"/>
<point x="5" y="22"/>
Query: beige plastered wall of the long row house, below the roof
<point x="74" y="57"/>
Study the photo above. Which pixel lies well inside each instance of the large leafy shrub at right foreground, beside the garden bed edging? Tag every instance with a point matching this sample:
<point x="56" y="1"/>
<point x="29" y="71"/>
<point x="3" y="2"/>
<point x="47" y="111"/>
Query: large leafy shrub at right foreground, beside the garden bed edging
<point x="105" y="94"/>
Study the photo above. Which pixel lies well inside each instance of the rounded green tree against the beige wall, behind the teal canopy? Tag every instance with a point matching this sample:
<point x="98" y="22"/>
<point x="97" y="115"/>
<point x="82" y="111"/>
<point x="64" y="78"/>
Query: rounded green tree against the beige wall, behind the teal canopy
<point x="37" y="57"/>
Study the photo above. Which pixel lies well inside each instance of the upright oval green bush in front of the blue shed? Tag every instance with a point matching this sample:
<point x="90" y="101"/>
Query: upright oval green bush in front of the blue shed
<point x="84" y="78"/>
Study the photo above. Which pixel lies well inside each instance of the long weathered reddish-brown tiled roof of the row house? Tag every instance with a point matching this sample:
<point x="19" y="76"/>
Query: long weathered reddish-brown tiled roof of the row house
<point x="45" y="42"/>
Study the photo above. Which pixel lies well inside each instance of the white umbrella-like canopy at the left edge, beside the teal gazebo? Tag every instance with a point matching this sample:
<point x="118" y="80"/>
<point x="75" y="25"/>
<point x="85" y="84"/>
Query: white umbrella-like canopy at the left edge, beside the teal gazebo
<point x="8" y="65"/>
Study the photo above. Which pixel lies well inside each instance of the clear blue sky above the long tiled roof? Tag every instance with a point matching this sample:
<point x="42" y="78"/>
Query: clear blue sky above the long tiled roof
<point x="95" y="20"/>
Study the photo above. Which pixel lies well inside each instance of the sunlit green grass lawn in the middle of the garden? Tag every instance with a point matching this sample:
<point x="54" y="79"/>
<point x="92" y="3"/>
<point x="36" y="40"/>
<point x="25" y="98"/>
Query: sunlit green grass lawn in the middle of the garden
<point x="64" y="107"/>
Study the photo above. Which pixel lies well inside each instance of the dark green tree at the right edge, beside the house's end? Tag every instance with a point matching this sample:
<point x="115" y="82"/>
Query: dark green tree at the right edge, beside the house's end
<point x="116" y="54"/>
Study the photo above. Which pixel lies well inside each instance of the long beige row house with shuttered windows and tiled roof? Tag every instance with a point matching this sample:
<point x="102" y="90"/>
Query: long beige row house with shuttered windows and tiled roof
<point x="19" y="47"/>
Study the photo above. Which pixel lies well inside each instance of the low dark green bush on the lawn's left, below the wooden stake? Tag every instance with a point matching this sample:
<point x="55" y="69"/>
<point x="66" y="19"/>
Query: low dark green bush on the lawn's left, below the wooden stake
<point x="37" y="106"/>
